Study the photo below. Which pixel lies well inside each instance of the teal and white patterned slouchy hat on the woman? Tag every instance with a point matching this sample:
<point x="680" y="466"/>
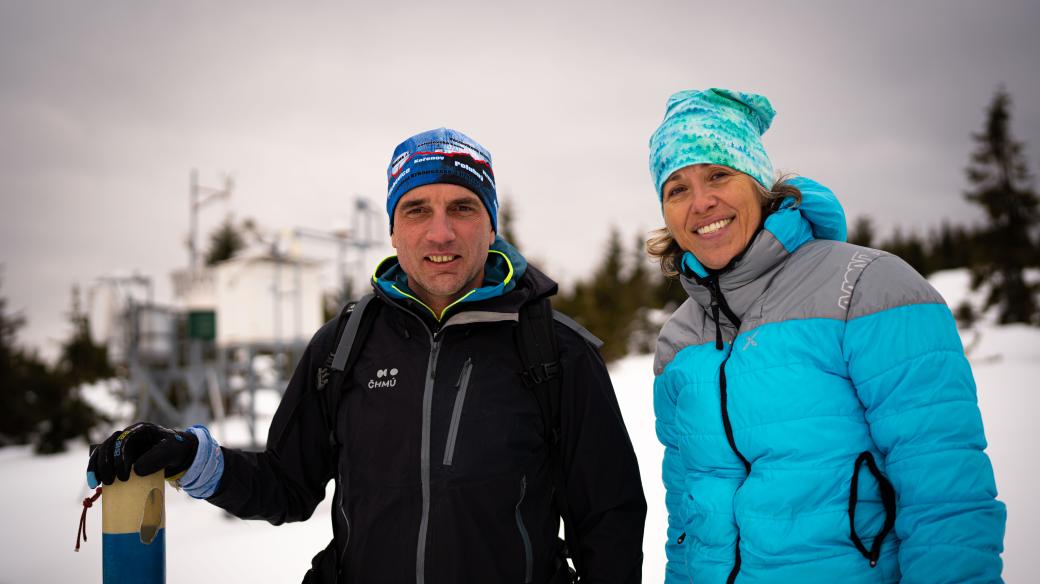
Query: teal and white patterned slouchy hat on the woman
<point x="715" y="127"/>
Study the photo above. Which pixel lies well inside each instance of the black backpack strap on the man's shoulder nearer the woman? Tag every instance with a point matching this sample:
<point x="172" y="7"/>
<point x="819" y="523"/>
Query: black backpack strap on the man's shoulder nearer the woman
<point x="542" y="375"/>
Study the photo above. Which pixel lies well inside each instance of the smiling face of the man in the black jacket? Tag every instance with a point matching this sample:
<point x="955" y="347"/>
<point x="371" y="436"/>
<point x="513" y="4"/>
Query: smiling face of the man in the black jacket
<point x="443" y="234"/>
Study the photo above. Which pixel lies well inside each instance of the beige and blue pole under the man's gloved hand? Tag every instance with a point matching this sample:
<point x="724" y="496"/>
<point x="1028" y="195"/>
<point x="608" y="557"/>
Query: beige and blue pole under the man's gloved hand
<point x="134" y="522"/>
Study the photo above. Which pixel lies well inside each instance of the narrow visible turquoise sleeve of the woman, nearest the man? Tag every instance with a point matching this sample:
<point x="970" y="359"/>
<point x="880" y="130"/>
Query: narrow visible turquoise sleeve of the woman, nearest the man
<point x="673" y="475"/>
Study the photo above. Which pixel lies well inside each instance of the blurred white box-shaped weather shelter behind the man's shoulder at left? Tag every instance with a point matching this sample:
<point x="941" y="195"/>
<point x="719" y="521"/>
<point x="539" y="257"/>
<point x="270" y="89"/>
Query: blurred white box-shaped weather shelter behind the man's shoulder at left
<point x="266" y="300"/>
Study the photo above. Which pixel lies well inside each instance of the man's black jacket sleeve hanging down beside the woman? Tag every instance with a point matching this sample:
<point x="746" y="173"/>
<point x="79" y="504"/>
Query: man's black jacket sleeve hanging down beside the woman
<point x="602" y="474"/>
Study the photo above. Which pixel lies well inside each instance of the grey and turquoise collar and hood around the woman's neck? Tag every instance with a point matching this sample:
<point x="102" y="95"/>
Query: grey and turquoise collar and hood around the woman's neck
<point x="819" y="217"/>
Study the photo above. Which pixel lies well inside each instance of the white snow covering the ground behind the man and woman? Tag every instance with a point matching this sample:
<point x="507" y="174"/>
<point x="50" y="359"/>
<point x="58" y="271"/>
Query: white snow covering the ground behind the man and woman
<point x="40" y="496"/>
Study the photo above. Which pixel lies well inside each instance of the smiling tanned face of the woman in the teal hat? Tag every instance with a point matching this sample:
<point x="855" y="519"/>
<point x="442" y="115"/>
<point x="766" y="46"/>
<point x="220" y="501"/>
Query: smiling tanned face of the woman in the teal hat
<point x="712" y="211"/>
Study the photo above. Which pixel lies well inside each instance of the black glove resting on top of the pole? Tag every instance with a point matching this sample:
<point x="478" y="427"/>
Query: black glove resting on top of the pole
<point x="144" y="447"/>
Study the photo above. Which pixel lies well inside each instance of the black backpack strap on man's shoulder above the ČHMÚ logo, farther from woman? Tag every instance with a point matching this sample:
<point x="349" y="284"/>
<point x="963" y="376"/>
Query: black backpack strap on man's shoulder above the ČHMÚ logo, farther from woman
<point x="355" y="322"/>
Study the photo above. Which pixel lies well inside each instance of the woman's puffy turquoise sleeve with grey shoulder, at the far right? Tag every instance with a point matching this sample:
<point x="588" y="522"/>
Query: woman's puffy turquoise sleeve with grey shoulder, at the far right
<point x="906" y="361"/>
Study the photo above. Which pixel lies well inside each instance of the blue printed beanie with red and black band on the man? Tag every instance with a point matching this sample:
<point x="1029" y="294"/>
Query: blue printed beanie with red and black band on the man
<point x="443" y="156"/>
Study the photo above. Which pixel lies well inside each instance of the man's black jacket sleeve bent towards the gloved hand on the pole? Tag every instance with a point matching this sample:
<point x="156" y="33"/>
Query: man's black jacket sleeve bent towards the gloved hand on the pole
<point x="287" y="482"/>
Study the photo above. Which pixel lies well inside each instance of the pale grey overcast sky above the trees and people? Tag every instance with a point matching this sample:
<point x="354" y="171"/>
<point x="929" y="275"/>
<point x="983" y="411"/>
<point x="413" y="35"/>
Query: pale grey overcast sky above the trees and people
<point x="106" y="108"/>
